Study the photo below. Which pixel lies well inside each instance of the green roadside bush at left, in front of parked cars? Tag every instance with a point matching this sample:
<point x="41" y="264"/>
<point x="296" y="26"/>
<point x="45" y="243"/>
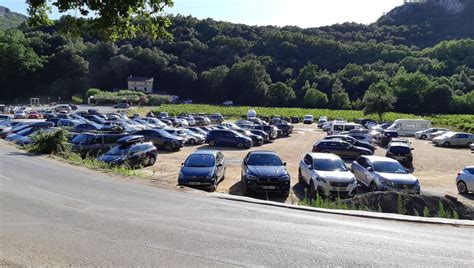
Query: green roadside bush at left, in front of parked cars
<point x="50" y="143"/>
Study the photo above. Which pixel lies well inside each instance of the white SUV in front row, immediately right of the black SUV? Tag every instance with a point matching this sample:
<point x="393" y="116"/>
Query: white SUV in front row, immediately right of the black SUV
<point x="326" y="174"/>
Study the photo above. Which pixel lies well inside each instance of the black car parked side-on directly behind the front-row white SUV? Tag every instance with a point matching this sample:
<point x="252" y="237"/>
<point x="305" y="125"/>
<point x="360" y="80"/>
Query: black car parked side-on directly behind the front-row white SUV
<point x="340" y="148"/>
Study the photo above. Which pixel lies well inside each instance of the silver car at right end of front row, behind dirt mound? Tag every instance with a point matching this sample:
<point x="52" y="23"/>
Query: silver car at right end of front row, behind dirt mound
<point x="384" y="174"/>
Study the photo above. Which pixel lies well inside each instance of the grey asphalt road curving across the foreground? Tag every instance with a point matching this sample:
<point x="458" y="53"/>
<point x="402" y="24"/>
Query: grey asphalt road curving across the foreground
<point x="57" y="215"/>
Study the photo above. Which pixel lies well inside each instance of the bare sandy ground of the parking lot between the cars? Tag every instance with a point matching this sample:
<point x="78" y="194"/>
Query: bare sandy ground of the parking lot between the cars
<point x="435" y="167"/>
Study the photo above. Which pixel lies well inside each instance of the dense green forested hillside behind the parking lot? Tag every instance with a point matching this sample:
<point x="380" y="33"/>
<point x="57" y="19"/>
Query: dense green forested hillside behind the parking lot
<point x="210" y="61"/>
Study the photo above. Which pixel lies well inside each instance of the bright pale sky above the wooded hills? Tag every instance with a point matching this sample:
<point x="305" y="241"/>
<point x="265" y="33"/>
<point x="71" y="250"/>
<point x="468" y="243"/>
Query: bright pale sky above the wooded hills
<point x="302" y="13"/>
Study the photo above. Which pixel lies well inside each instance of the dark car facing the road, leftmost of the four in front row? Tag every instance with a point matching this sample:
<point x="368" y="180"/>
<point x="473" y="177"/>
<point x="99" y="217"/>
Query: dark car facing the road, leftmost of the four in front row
<point x="203" y="169"/>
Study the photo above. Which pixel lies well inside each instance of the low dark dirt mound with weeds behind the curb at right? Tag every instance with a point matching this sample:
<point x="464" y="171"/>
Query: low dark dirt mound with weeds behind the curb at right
<point x="415" y="205"/>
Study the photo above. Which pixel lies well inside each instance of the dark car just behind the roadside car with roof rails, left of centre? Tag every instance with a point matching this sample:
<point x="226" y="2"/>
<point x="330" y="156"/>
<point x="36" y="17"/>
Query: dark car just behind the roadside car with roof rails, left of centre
<point x="162" y="139"/>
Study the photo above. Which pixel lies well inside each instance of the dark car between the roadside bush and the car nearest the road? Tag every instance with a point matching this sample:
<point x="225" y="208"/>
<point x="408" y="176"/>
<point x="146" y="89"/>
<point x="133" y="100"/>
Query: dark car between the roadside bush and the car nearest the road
<point x="94" y="144"/>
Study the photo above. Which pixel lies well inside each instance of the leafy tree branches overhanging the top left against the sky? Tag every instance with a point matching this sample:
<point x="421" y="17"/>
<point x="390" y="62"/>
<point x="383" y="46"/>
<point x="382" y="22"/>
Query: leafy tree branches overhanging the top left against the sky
<point x="112" y="20"/>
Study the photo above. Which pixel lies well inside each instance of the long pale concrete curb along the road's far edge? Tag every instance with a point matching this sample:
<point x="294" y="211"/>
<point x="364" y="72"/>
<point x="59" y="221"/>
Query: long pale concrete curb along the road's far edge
<point x="354" y="213"/>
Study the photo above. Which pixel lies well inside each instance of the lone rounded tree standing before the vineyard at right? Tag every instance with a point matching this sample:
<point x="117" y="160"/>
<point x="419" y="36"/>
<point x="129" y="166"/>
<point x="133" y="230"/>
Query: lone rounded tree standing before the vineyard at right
<point x="378" y="99"/>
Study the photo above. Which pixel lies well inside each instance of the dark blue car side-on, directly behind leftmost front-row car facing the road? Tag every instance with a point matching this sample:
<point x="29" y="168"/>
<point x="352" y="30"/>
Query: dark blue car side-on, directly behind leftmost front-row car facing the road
<point x="227" y="137"/>
